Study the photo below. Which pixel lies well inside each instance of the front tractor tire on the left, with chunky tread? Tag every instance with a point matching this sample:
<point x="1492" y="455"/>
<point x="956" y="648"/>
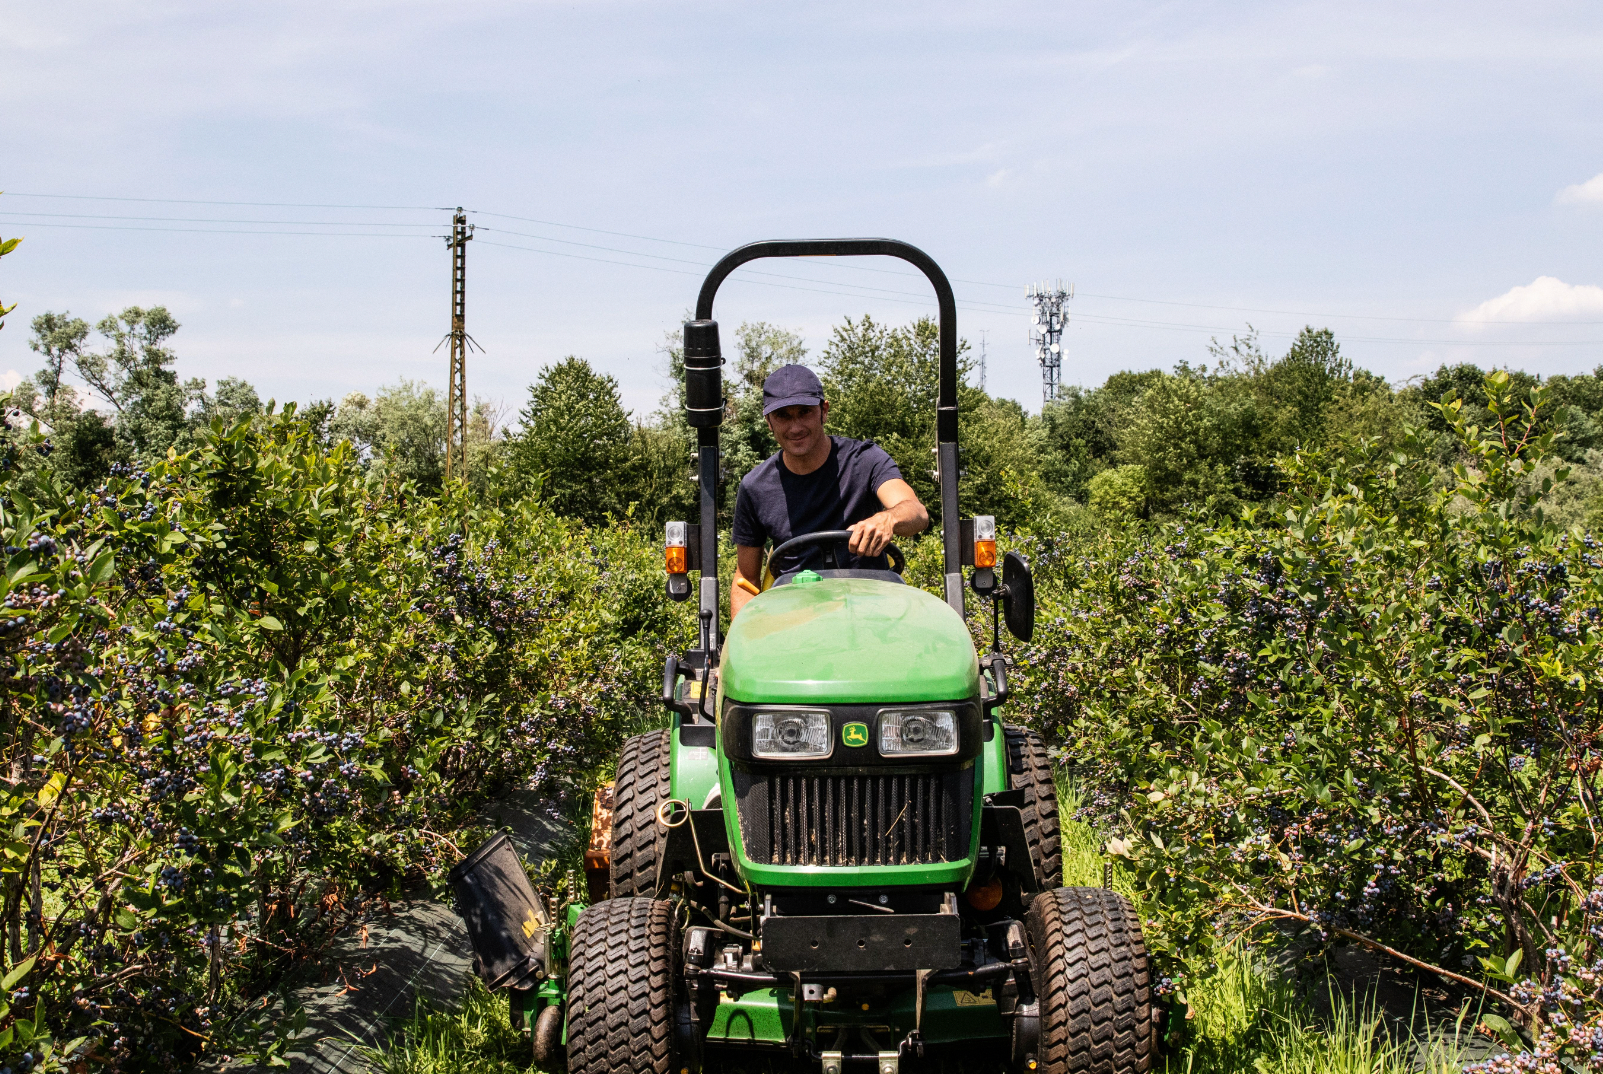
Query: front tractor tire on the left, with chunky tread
<point x="621" y="988"/>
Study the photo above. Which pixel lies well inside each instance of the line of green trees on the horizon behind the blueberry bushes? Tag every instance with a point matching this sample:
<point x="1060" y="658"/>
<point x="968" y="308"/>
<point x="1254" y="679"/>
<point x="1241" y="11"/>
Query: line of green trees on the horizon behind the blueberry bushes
<point x="1141" y="446"/>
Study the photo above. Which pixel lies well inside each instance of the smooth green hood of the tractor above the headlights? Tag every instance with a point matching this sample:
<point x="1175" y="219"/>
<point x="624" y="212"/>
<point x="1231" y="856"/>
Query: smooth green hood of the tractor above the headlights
<point x="849" y="642"/>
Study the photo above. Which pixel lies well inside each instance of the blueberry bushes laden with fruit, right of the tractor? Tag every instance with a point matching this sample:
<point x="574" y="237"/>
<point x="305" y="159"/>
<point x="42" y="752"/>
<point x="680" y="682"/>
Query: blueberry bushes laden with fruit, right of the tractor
<point x="1368" y="716"/>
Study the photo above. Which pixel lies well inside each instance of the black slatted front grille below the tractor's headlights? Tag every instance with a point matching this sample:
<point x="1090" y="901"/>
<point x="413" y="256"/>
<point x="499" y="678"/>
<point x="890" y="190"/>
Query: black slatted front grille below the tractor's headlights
<point x="833" y="820"/>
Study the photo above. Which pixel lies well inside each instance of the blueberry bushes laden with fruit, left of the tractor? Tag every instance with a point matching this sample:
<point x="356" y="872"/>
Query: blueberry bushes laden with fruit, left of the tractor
<point x="248" y="692"/>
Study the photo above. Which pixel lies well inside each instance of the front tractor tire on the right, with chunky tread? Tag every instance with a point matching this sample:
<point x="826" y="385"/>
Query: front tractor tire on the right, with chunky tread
<point x="1091" y="975"/>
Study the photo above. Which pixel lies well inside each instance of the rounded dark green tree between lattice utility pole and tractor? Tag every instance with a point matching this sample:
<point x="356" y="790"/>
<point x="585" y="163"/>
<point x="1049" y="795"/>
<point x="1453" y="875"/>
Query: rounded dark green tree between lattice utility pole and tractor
<point x="573" y="442"/>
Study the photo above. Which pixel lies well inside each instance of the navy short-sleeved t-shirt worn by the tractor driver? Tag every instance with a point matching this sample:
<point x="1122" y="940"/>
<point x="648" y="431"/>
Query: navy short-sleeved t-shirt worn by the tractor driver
<point x="777" y="504"/>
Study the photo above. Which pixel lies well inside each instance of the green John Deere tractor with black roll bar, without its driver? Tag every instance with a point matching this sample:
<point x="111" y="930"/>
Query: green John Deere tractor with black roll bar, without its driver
<point x="839" y="854"/>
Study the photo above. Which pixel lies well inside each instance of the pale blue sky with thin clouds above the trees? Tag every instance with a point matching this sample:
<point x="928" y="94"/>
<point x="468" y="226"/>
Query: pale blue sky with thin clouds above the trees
<point x="1426" y="179"/>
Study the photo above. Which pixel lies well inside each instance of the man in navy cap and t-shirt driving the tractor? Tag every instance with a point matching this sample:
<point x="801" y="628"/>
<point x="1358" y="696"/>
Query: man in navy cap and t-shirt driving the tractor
<point x="815" y="482"/>
